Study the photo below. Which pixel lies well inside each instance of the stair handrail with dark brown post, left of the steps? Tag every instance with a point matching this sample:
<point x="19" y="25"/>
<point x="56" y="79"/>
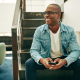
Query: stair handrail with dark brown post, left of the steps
<point x="16" y="36"/>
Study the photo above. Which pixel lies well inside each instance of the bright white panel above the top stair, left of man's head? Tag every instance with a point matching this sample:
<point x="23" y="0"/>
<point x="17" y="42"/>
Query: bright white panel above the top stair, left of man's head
<point x="37" y="5"/>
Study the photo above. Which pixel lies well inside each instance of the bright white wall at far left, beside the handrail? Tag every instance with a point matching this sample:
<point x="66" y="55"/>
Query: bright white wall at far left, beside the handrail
<point x="6" y="17"/>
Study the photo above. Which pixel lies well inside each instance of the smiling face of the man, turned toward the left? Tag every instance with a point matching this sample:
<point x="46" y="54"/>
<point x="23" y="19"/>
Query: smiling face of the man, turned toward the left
<point x="53" y="18"/>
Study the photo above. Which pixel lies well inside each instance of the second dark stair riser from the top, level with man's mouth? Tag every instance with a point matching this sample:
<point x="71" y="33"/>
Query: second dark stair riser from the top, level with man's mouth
<point x="32" y="23"/>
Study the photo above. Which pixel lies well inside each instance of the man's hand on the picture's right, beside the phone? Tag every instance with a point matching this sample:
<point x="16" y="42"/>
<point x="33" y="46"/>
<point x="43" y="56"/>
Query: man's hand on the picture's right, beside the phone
<point x="61" y="62"/>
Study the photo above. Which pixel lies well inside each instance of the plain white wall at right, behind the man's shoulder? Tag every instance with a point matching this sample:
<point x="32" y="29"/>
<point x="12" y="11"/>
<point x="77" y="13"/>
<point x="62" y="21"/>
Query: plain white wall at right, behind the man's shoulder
<point x="71" y="16"/>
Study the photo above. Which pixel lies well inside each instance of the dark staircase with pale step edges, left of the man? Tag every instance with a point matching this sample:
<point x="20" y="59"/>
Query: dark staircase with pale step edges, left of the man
<point x="29" y="24"/>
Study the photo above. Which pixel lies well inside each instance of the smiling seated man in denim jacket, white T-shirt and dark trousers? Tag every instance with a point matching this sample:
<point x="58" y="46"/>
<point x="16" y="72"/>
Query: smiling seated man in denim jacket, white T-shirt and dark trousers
<point x="50" y="44"/>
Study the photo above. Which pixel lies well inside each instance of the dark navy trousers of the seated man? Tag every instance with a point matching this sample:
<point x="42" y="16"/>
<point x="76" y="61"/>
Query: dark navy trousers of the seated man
<point x="31" y="66"/>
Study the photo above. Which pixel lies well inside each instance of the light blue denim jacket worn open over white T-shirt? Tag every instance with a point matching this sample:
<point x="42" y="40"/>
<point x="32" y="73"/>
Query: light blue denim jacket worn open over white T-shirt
<point x="41" y="45"/>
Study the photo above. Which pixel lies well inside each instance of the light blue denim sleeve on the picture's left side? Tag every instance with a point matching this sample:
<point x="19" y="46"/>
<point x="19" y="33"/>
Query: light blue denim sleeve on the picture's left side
<point x="36" y="45"/>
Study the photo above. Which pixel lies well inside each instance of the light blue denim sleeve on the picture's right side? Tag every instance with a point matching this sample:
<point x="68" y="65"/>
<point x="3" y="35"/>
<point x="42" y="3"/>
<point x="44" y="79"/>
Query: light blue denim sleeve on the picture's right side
<point x="74" y="48"/>
